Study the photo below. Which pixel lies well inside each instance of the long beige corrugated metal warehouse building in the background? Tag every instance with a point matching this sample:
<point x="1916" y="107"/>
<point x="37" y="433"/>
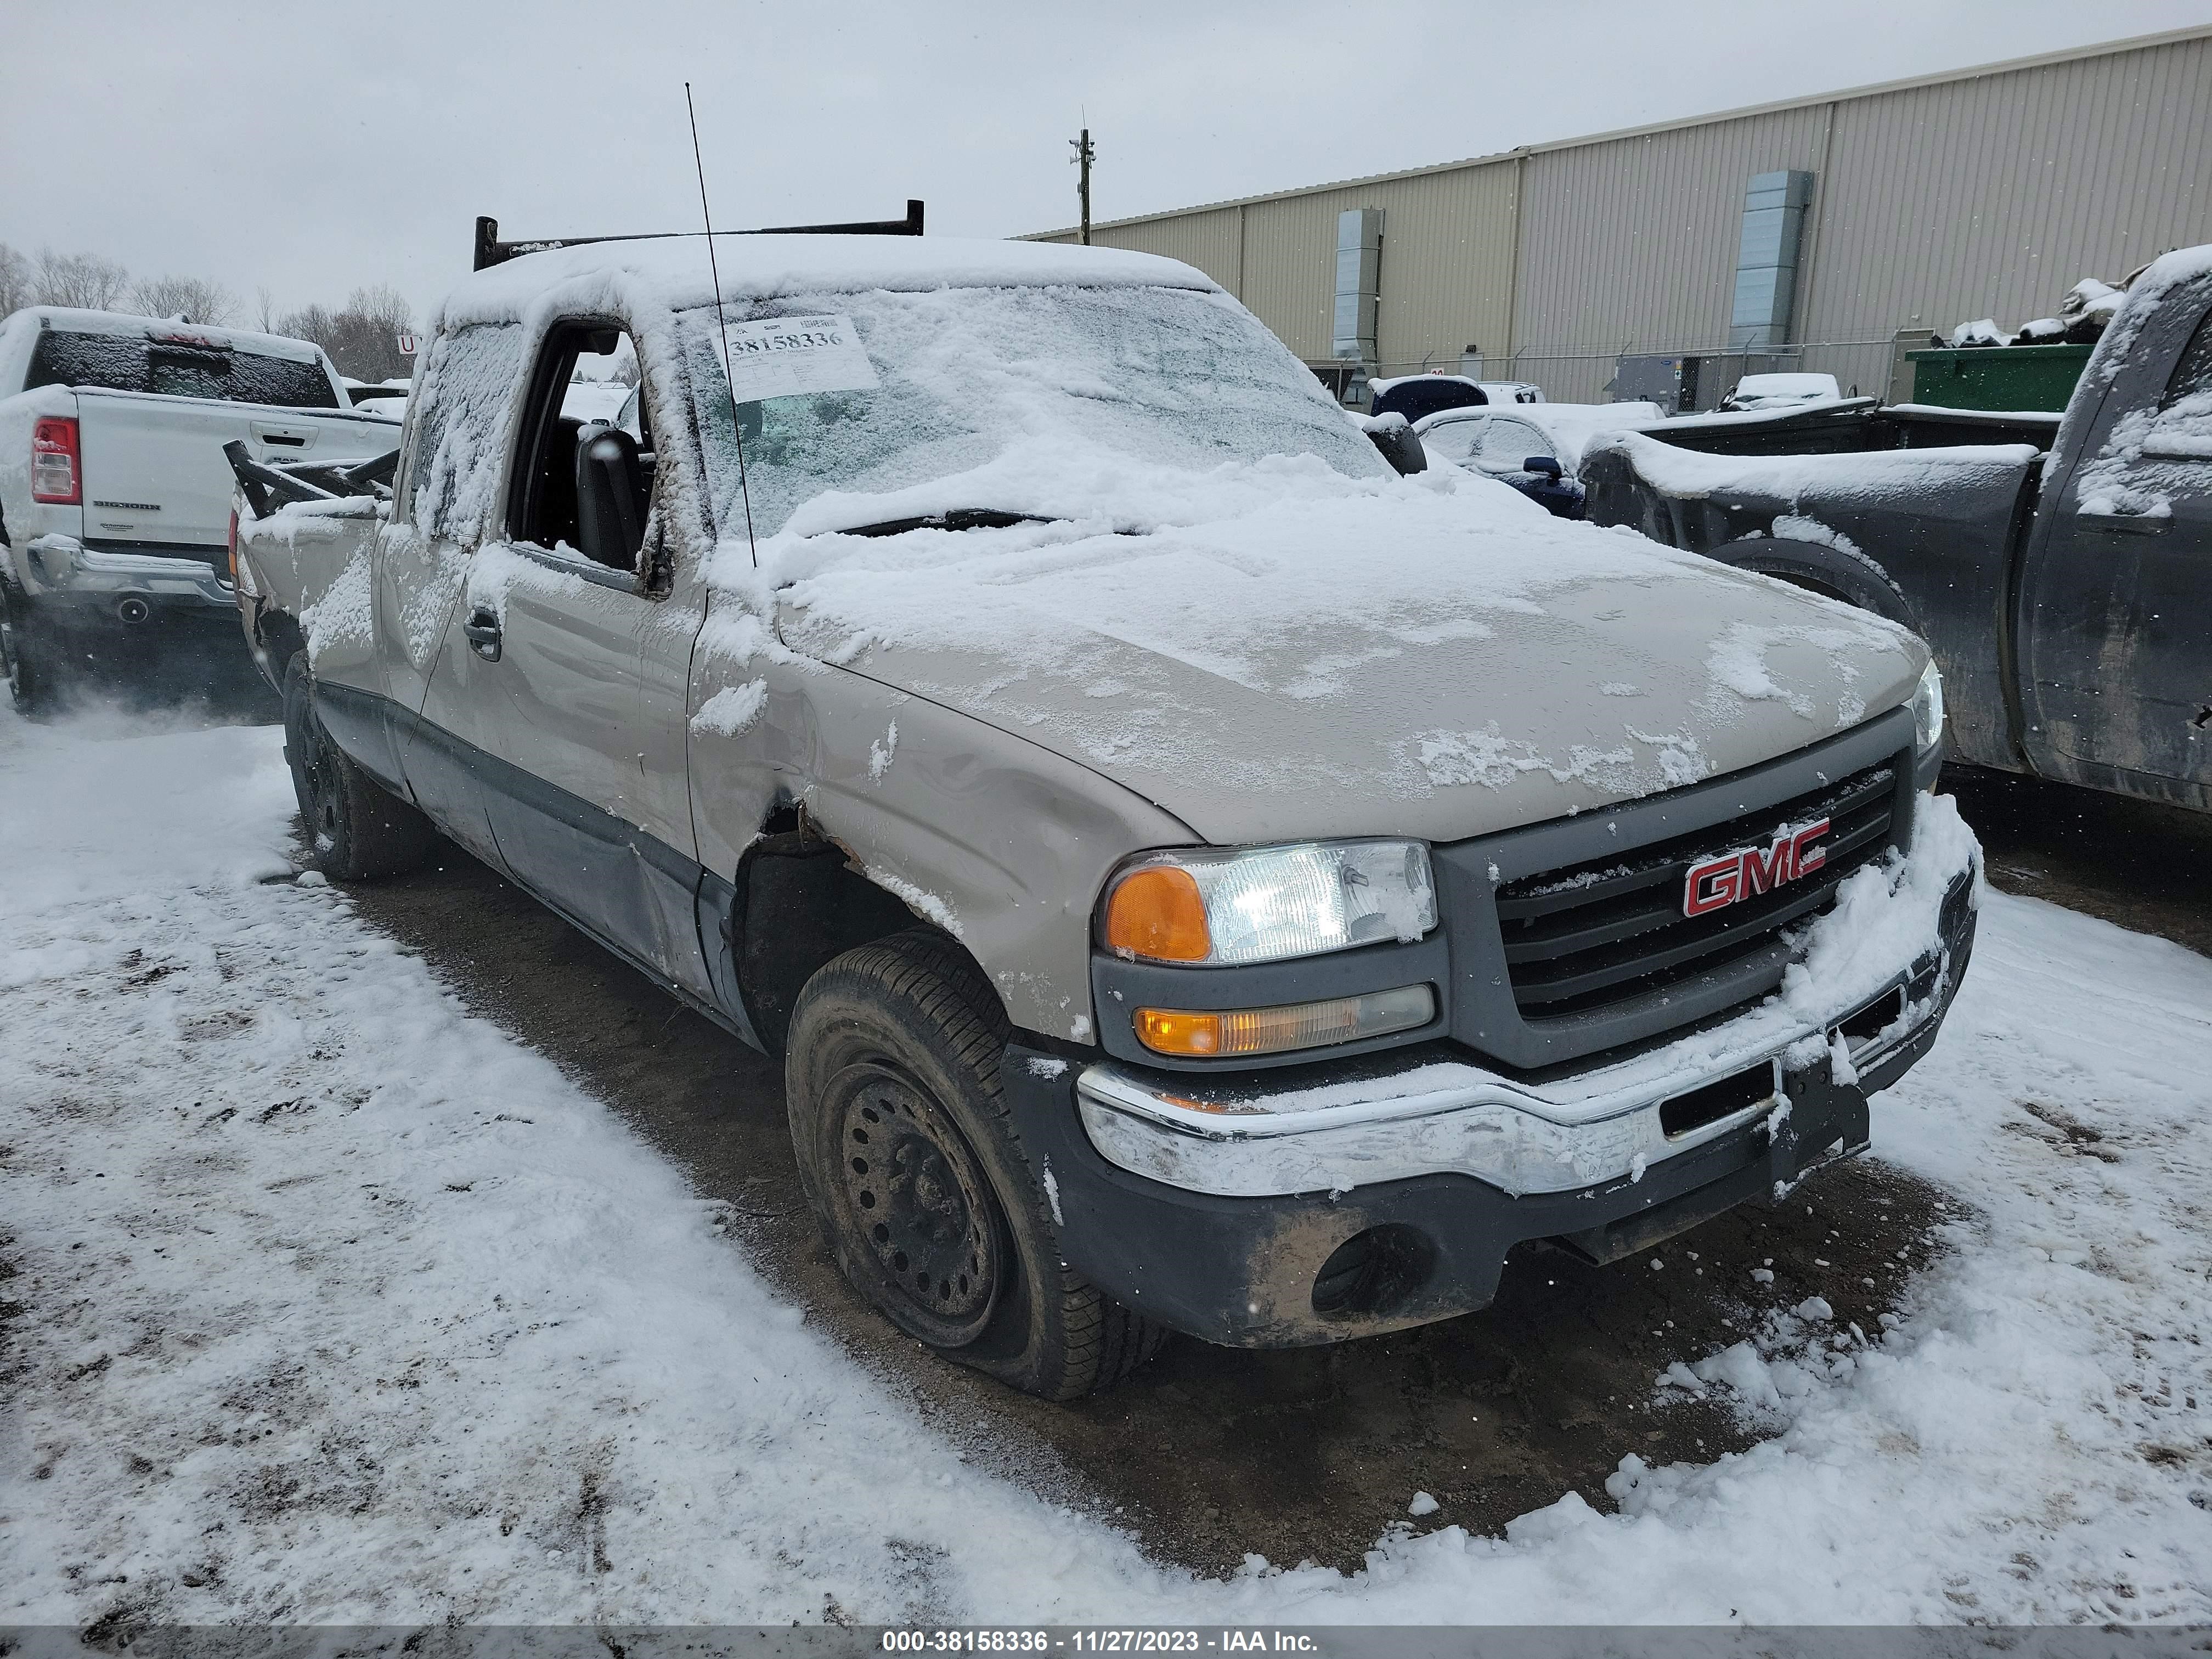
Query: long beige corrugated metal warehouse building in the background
<point x="1826" y="233"/>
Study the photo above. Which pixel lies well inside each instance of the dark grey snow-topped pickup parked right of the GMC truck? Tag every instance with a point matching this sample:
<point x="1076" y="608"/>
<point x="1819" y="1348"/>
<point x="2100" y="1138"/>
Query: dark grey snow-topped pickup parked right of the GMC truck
<point x="2063" y="585"/>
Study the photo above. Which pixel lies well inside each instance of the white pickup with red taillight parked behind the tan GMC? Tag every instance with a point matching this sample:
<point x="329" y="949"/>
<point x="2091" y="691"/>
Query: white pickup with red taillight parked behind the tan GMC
<point x="116" y="494"/>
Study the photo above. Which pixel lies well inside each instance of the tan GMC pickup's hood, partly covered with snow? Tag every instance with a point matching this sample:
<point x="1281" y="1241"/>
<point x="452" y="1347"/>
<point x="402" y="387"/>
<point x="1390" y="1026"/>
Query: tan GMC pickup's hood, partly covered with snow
<point x="1288" y="654"/>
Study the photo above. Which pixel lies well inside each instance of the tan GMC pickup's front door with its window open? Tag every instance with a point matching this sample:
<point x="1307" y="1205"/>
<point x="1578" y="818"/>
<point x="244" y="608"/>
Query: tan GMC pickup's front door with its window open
<point x="552" y="656"/>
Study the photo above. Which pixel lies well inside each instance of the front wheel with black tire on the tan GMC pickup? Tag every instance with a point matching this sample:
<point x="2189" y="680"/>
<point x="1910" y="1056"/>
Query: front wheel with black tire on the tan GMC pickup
<point x="919" y="1178"/>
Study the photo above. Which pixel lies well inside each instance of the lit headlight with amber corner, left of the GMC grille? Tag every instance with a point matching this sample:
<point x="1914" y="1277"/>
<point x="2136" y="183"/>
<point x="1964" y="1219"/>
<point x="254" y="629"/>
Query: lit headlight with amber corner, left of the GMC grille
<point x="1269" y="904"/>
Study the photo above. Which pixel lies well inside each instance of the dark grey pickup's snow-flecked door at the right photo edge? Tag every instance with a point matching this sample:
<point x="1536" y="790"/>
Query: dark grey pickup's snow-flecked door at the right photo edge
<point x="2116" y="605"/>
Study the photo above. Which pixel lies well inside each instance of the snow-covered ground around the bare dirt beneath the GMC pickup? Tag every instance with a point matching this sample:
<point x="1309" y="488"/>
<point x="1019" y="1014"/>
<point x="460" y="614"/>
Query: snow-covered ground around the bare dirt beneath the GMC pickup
<point x="333" y="1304"/>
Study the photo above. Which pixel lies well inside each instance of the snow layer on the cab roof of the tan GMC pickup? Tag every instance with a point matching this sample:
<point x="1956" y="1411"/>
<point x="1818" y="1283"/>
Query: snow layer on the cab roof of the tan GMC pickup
<point x="674" y="273"/>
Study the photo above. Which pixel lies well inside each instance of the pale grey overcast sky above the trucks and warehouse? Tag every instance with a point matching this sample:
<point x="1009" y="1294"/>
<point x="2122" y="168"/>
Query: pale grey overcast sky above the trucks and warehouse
<point x="317" y="147"/>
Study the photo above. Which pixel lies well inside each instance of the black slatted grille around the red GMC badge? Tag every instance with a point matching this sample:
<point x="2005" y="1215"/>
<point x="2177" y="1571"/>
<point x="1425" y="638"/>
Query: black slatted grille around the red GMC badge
<point x="1611" y="930"/>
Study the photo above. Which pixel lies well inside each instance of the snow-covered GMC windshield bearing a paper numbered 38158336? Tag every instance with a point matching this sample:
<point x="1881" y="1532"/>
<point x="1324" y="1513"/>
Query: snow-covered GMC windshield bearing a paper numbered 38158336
<point x="1012" y="395"/>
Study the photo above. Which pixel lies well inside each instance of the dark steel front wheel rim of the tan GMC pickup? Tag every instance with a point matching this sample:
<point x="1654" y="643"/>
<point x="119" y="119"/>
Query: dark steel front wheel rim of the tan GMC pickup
<point x="919" y="1204"/>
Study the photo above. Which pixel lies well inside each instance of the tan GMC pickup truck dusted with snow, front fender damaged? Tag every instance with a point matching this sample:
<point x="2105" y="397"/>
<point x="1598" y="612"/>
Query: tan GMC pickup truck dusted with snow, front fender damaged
<point x="1196" y="877"/>
